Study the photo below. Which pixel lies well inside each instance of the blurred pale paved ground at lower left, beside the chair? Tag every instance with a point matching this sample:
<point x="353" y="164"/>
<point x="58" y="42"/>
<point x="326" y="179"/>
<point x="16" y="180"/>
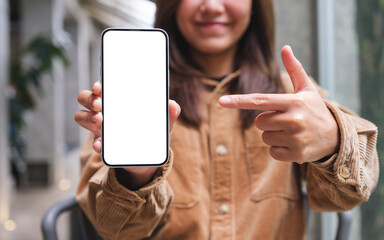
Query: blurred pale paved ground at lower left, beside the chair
<point x="29" y="205"/>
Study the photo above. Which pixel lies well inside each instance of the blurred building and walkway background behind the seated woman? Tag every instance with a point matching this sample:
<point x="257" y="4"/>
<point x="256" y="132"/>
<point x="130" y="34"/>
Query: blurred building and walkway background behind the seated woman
<point x="50" y="49"/>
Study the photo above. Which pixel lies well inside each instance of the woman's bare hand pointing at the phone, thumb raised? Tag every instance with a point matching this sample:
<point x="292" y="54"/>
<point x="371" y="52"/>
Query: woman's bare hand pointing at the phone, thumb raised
<point x="299" y="127"/>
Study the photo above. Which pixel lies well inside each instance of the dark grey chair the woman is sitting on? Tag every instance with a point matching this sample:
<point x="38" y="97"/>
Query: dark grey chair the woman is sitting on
<point x="88" y="232"/>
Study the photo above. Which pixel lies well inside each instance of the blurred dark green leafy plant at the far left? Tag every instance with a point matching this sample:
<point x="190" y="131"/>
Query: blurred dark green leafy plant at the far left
<point x="26" y="74"/>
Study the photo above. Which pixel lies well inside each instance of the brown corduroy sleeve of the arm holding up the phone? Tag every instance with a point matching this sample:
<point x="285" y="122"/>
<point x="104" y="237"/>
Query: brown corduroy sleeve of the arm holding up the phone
<point x="115" y="211"/>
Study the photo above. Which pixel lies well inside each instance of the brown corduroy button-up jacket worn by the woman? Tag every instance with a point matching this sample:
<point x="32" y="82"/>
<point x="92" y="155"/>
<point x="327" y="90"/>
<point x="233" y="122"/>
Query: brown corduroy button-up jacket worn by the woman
<point x="221" y="183"/>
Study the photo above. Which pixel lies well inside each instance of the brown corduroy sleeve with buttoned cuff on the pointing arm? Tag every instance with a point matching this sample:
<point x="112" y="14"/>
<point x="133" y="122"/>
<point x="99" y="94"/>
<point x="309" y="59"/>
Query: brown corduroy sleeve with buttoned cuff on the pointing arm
<point x="347" y="178"/>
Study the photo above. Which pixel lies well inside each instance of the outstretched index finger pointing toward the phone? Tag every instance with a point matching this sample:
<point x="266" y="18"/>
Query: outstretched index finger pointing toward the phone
<point x="257" y="101"/>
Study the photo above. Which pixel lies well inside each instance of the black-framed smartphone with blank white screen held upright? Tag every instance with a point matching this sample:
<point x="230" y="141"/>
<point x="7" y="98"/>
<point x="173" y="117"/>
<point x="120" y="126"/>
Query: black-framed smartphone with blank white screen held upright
<point x="135" y="73"/>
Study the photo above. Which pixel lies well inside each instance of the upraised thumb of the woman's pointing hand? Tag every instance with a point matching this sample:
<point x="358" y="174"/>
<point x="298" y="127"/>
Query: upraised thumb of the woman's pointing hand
<point x="299" y="77"/>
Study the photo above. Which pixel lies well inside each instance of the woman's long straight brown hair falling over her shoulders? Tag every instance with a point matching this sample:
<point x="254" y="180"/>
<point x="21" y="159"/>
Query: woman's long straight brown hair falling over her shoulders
<point x="255" y="57"/>
